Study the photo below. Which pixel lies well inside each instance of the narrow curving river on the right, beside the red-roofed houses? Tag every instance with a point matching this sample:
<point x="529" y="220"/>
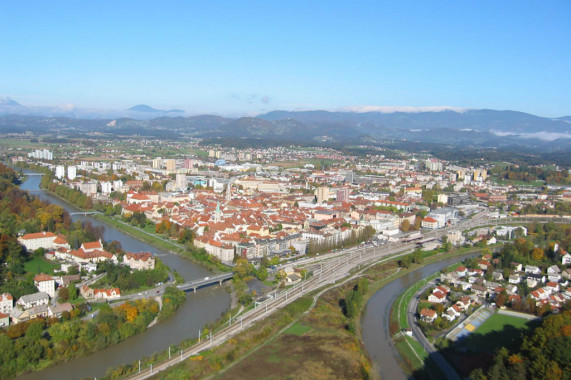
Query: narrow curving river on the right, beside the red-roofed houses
<point x="375" y="322"/>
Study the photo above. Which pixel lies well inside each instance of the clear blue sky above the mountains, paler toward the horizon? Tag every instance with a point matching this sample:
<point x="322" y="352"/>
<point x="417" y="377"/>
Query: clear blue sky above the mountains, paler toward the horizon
<point x="248" y="57"/>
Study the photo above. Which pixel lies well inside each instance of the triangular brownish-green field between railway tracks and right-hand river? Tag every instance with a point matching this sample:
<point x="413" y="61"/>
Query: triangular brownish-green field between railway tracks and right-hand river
<point x="317" y="346"/>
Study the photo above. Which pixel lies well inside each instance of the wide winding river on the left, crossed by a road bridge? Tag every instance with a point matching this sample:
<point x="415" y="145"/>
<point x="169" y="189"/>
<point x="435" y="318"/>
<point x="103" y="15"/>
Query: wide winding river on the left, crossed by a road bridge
<point x="200" y="308"/>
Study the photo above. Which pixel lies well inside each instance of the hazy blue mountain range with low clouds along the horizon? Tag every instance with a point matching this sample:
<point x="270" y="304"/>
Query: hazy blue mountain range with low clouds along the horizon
<point x="474" y="128"/>
